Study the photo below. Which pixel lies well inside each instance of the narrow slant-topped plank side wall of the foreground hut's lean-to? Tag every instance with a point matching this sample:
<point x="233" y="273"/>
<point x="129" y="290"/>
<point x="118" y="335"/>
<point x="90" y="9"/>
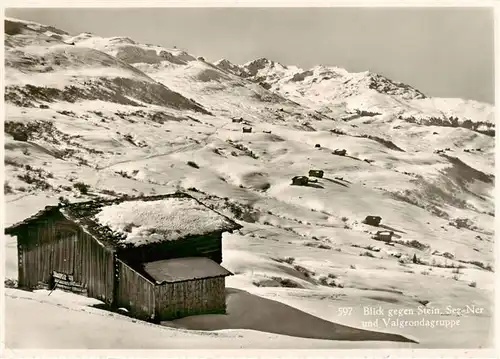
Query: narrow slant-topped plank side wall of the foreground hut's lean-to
<point x="135" y="292"/>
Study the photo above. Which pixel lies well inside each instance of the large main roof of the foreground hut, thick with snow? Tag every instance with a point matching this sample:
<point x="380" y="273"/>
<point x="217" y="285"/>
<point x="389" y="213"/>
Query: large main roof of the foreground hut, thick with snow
<point x="139" y="221"/>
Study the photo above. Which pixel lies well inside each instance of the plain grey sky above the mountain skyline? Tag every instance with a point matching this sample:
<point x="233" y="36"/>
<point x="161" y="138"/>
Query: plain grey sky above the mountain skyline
<point x="445" y="52"/>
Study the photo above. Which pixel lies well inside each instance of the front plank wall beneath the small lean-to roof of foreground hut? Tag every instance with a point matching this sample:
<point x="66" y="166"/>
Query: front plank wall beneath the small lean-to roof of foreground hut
<point x="174" y="300"/>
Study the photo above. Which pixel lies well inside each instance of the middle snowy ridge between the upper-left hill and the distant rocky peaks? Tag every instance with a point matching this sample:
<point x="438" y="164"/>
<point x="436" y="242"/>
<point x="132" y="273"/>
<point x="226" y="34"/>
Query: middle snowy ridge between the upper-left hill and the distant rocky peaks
<point x="196" y="79"/>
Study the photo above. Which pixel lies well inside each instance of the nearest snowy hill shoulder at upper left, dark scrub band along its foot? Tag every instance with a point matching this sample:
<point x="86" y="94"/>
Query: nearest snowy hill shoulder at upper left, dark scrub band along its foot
<point x="41" y="71"/>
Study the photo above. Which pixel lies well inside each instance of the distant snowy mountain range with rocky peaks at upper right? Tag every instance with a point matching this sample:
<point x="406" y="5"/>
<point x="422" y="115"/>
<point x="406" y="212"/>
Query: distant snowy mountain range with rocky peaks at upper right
<point x="334" y="91"/>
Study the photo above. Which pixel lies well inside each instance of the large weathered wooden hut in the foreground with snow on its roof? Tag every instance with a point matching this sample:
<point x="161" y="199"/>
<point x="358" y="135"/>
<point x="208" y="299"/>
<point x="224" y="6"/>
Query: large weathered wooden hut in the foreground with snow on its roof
<point x="159" y="257"/>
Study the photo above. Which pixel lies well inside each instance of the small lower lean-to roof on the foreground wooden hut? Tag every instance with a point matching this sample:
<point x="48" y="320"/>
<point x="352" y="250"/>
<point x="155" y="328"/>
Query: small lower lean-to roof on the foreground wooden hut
<point x="182" y="269"/>
